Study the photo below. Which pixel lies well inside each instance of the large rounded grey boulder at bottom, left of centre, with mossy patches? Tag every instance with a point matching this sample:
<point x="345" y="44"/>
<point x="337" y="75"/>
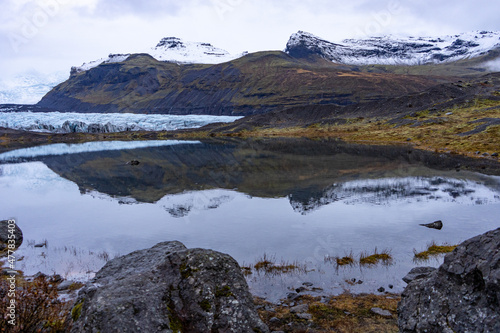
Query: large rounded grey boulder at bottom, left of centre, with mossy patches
<point x="167" y="288"/>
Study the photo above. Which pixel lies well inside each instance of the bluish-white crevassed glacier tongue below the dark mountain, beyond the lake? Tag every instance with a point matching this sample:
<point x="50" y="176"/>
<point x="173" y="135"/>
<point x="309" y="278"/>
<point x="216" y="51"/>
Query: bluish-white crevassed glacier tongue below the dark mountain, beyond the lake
<point x="72" y="122"/>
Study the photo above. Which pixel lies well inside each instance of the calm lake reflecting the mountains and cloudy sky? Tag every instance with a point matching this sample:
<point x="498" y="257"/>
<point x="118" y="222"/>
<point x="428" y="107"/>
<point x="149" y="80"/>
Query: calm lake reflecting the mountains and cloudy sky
<point x="290" y="201"/>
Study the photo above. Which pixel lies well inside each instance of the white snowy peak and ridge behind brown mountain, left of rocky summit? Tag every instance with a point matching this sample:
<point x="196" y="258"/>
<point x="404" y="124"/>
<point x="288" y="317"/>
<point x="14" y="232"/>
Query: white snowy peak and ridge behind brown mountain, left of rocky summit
<point x="172" y="49"/>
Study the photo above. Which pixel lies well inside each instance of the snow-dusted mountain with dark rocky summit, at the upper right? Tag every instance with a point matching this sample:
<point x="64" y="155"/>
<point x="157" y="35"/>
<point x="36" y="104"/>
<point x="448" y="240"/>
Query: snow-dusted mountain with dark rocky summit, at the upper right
<point x="389" y="50"/>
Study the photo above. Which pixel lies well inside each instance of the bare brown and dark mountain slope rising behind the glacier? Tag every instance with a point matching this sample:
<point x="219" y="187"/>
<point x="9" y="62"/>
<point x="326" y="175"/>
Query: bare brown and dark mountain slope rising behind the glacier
<point x="255" y="83"/>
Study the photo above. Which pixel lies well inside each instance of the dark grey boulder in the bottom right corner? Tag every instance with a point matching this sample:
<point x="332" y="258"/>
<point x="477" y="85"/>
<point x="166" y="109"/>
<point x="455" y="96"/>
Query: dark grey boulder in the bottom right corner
<point x="461" y="296"/>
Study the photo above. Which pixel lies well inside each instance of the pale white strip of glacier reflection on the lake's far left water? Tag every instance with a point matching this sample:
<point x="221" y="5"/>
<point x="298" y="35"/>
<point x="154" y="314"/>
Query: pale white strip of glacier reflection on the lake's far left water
<point x="87" y="147"/>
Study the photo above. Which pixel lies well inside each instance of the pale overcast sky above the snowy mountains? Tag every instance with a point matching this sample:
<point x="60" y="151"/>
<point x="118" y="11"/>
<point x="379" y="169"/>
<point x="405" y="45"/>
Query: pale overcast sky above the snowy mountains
<point x="52" y="35"/>
